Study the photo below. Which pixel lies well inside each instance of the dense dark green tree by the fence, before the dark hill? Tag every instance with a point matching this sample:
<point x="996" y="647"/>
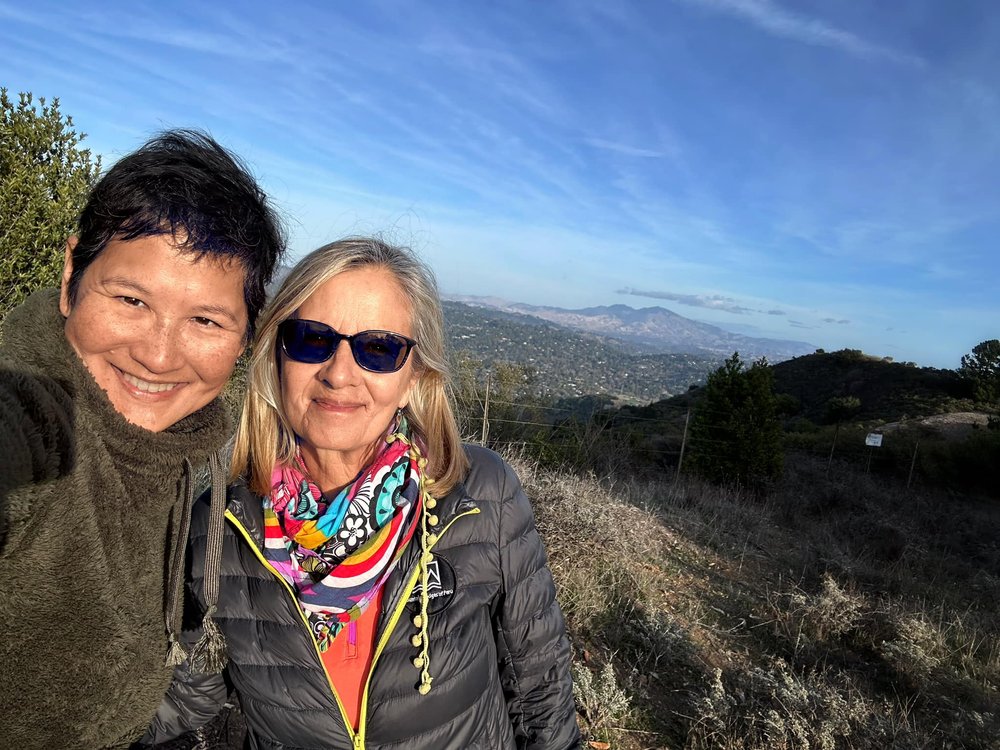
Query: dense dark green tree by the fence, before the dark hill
<point x="735" y="433"/>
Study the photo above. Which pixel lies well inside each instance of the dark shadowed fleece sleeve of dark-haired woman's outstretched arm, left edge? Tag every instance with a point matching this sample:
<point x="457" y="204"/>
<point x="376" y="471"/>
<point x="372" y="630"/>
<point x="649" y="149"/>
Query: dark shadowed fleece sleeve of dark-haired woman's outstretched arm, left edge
<point x="36" y="434"/>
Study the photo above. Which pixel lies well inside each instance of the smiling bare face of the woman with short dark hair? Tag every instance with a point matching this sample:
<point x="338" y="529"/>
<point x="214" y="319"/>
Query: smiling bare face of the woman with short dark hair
<point x="159" y="329"/>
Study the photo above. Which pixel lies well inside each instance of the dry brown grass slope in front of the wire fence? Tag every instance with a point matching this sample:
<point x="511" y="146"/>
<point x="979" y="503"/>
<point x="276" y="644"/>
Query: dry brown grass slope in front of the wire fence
<point x="843" y="614"/>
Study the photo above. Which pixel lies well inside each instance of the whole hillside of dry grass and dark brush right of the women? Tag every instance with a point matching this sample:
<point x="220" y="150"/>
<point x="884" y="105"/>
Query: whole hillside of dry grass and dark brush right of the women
<point x="840" y="609"/>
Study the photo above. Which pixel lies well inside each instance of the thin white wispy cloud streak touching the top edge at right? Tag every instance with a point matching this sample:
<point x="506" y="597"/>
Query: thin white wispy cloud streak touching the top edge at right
<point x="775" y="20"/>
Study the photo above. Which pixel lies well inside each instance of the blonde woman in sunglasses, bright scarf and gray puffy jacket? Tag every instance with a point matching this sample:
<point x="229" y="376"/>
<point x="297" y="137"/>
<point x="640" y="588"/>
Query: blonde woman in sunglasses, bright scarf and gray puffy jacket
<point x="378" y="583"/>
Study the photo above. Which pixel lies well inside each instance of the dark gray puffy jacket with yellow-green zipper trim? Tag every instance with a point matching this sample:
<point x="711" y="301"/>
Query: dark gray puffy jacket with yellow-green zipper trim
<point x="498" y="649"/>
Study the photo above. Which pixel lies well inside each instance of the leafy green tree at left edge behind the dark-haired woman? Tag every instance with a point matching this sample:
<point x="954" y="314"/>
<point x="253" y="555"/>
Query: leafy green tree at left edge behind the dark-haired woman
<point x="44" y="180"/>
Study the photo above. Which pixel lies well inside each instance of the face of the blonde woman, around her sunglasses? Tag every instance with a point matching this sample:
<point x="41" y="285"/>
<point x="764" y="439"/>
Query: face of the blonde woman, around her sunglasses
<point x="338" y="410"/>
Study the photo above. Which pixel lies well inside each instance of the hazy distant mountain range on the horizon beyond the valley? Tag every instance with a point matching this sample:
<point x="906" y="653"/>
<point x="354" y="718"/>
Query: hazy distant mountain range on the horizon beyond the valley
<point x="652" y="329"/>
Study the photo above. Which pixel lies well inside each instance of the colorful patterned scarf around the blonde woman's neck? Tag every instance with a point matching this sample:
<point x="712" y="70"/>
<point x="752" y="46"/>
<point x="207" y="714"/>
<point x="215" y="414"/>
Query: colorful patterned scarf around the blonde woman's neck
<point x="338" y="553"/>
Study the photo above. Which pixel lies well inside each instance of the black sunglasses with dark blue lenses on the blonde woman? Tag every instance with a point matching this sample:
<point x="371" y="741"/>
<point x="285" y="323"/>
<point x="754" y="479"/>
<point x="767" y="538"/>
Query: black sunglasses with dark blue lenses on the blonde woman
<point x="312" y="342"/>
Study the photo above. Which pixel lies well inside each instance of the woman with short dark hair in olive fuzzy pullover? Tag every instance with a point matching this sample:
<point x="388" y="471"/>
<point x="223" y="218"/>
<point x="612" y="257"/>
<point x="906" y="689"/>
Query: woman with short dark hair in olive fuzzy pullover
<point x="109" y="411"/>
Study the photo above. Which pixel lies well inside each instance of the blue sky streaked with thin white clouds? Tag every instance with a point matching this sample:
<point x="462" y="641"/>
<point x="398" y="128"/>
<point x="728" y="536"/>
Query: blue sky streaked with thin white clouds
<point x="826" y="172"/>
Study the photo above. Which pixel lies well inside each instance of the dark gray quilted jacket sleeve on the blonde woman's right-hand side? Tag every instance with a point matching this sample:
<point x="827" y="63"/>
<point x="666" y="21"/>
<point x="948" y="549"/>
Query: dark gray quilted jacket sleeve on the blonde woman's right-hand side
<point x="531" y="635"/>
